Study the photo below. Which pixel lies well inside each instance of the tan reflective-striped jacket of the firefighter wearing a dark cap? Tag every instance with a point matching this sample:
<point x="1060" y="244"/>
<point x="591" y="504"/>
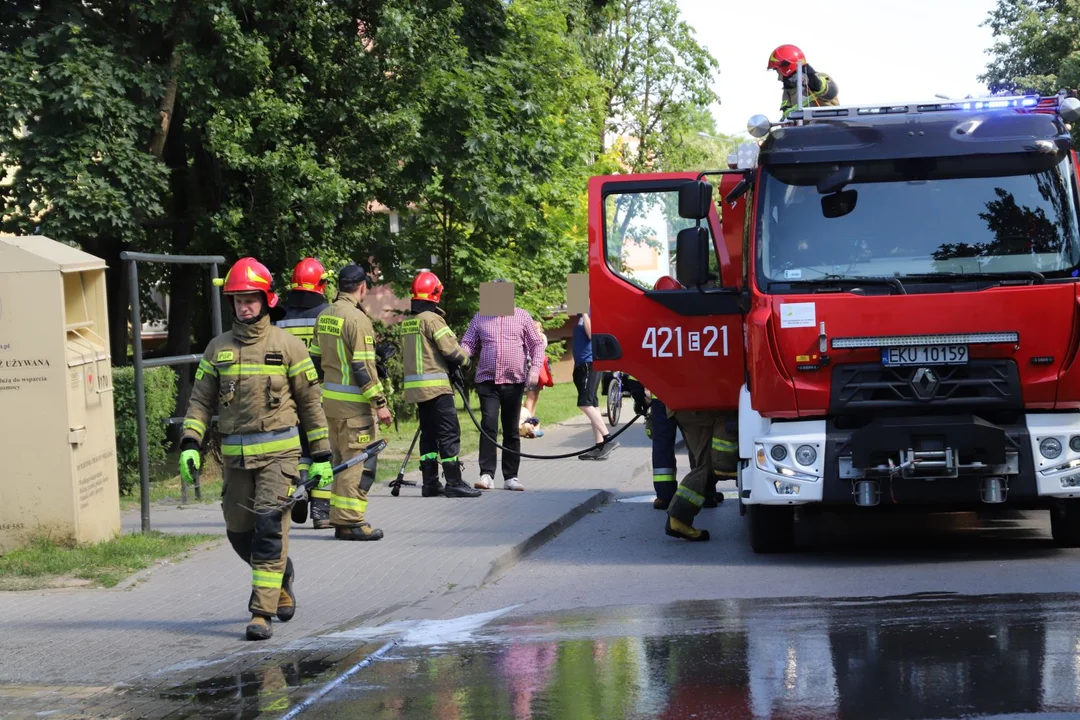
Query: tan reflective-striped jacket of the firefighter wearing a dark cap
<point x="346" y="337"/>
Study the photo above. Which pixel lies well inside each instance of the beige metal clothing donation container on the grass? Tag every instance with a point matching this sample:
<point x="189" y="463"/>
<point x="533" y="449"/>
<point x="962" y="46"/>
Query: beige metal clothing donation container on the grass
<point x="58" y="433"/>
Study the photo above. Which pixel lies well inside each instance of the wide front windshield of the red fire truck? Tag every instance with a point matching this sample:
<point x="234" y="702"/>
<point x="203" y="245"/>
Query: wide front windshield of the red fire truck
<point x="930" y="219"/>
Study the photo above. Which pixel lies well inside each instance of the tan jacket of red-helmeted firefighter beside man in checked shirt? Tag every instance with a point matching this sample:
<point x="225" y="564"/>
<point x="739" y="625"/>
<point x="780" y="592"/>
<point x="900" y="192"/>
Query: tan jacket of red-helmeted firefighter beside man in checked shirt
<point x="429" y="350"/>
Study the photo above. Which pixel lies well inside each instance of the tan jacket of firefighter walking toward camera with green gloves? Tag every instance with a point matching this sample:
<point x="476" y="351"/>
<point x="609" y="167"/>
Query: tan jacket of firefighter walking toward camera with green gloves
<point x="262" y="383"/>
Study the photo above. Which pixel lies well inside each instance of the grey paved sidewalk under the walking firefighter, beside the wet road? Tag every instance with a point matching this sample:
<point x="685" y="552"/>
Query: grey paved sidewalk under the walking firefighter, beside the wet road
<point x="180" y="618"/>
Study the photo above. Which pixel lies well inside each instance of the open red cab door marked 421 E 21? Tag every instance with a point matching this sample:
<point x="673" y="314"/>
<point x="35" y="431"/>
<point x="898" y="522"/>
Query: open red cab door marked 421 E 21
<point x="685" y="345"/>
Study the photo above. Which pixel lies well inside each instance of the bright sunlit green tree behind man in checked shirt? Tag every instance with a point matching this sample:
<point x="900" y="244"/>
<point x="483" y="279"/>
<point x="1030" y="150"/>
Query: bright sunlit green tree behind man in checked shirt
<point x="503" y="165"/>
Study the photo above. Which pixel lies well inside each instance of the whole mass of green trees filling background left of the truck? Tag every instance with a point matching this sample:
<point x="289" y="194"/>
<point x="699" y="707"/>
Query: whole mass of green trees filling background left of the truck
<point x="294" y="125"/>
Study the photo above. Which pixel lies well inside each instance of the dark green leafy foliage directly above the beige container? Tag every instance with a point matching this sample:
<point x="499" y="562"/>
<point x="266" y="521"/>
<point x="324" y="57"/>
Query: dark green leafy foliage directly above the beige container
<point x="79" y="138"/>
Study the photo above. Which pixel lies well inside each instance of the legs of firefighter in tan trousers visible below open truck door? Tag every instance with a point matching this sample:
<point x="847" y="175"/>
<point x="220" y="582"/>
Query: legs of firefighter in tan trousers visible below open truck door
<point x="712" y="440"/>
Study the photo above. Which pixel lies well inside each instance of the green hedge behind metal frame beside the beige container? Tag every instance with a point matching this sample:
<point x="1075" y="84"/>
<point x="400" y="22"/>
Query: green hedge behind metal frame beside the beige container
<point x="160" y="385"/>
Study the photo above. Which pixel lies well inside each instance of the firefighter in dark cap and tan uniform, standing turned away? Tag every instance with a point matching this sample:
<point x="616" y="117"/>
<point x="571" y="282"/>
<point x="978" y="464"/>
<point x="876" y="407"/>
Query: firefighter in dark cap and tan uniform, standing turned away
<point x="354" y="400"/>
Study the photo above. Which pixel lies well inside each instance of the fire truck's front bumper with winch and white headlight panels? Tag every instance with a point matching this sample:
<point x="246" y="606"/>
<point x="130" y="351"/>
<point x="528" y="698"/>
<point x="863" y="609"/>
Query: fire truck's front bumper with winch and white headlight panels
<point x="951" y="461"/>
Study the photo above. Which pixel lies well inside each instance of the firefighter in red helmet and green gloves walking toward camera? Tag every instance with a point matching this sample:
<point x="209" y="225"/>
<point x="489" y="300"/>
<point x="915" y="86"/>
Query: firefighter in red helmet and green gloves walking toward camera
<point x="262" y="383"/>
